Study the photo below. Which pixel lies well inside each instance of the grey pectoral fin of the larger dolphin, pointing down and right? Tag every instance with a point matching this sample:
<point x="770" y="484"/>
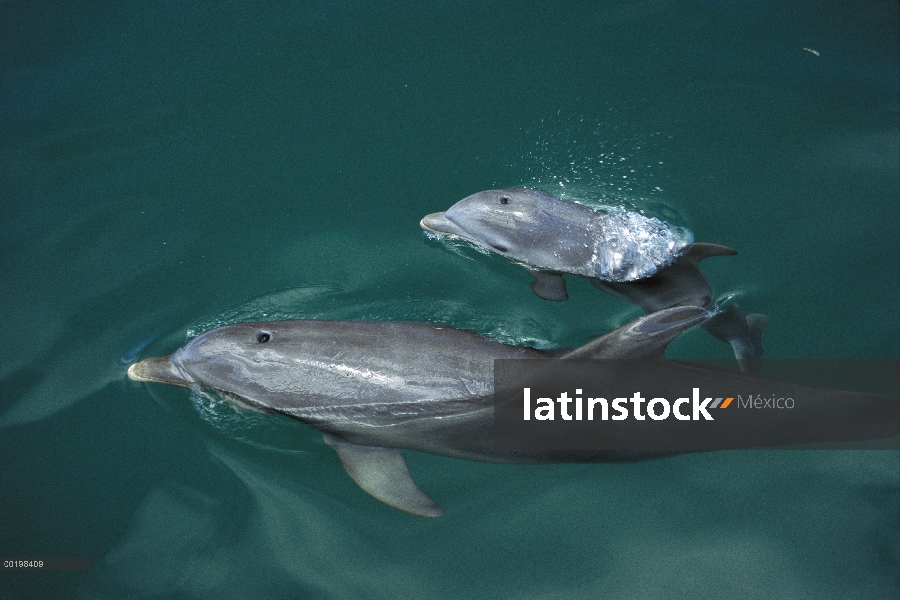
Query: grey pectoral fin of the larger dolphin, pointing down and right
<point x="383" y="474"/>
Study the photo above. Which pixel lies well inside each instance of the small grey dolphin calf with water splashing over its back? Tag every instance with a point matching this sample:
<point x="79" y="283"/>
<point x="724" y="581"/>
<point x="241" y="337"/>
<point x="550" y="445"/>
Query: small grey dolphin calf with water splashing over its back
<point x="630" y="256"/>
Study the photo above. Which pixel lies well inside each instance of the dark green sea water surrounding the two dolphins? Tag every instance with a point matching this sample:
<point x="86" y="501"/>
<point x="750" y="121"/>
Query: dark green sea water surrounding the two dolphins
<point x="169" y="166"/>
